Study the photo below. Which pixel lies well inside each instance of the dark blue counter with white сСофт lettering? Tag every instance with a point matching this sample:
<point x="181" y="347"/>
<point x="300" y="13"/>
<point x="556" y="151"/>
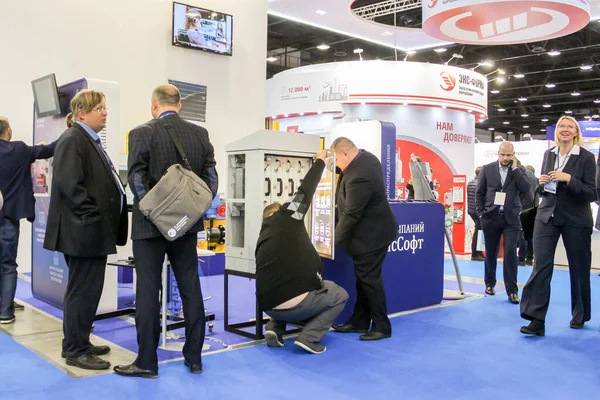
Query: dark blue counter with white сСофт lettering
<point x="413" y="270"/>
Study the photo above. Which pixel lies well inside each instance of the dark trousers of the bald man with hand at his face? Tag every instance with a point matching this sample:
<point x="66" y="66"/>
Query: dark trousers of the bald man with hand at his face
<point x="493" y="228"/>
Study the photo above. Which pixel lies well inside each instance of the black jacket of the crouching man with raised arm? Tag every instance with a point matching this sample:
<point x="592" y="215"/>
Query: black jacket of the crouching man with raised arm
<point x="287" y="263"/>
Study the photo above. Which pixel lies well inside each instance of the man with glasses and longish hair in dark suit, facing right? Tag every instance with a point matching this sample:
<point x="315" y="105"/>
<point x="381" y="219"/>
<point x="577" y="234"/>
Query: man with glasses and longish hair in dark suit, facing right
<point x="87" y="219"/>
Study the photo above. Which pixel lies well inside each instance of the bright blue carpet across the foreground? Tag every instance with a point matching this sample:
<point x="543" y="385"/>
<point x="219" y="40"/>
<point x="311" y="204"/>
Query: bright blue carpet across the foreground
<point x="471" y="350"/>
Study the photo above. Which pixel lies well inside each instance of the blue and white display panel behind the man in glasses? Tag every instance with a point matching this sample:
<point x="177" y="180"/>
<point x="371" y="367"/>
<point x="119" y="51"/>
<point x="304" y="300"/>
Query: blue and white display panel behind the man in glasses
<point x="49" y="270"/>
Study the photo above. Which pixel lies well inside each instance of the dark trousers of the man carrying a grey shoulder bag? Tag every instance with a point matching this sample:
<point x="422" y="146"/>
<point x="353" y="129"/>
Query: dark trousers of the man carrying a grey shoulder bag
<point x="149" y="255"/>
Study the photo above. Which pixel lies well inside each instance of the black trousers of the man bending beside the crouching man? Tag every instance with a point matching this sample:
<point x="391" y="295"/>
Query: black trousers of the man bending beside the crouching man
<point x="370" y="303"/>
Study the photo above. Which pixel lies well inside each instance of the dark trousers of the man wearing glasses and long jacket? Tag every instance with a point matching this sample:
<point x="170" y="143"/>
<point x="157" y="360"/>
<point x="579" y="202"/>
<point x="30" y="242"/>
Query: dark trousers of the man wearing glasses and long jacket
<point x="84" y="289"/>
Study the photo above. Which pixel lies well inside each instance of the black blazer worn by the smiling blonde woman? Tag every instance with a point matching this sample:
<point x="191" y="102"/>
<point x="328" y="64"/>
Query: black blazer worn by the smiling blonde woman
<point x="571" y="203"/>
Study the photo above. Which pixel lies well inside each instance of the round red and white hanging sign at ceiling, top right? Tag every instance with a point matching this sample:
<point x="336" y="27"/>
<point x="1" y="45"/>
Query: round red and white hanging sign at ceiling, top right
<point x="506" y="22"/>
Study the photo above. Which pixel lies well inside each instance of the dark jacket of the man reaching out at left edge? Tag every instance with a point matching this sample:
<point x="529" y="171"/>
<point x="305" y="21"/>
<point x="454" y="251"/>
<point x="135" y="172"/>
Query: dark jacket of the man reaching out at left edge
<point x="15" y="178"/>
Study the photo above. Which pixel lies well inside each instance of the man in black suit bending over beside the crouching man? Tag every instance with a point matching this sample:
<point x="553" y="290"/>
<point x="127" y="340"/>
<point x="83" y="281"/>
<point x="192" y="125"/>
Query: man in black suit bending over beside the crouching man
<point x="366" y="226"/>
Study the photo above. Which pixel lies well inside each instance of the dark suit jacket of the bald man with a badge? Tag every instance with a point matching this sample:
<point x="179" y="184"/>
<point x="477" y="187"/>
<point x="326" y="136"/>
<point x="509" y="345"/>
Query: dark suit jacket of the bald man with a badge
<point x="489" y="183"/>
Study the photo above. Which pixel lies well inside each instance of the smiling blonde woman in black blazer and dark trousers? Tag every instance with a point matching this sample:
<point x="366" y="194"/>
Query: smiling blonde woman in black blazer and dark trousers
<point x="567" y="187"/>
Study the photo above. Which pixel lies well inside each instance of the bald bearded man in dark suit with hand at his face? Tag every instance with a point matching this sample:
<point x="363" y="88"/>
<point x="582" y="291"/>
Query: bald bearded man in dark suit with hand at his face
<point x="498" y="203"/>
